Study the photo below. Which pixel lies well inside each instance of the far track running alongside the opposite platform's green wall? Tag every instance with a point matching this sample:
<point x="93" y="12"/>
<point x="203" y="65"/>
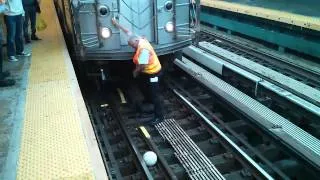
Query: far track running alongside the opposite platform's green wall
<point x="297" y="71"/>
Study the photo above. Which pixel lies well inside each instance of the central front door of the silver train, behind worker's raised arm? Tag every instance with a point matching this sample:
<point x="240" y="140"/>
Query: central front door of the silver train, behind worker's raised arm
<point x="137" y="16"/>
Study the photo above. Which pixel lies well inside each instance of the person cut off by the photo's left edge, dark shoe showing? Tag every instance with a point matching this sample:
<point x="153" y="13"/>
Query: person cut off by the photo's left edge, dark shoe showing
<point x="3" y="74"/>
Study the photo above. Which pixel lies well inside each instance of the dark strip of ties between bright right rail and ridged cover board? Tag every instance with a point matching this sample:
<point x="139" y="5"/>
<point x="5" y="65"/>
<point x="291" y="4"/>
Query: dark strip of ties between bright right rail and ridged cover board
<point x="238" y="128"/>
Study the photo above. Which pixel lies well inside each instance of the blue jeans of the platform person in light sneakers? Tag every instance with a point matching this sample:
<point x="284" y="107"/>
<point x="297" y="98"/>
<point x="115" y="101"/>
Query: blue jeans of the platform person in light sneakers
<point x="14" y="34"/>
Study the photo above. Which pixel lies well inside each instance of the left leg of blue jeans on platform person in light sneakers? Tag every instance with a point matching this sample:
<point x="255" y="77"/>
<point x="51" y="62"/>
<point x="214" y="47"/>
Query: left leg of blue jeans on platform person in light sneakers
<point x="11" y="31"/>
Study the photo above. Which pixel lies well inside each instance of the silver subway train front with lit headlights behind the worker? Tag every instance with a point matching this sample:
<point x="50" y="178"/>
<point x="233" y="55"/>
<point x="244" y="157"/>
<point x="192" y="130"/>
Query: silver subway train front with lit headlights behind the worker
<point x="168" y="24"/>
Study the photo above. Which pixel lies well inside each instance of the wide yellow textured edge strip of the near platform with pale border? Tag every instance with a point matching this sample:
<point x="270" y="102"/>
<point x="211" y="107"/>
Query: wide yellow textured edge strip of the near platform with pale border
<point x="57" y="140"/>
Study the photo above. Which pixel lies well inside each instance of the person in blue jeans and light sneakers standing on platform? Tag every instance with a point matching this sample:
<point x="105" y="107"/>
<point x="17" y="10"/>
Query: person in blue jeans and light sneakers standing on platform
<point x="14" y="20"/>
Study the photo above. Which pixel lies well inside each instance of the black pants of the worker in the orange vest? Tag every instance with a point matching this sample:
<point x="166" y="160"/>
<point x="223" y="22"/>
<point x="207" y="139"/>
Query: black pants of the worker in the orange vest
<point x="151" y="91"/>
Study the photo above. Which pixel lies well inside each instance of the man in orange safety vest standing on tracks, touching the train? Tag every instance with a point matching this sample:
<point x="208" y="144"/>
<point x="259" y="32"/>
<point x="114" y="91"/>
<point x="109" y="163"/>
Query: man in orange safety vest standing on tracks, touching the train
<point x="147" y="68"/>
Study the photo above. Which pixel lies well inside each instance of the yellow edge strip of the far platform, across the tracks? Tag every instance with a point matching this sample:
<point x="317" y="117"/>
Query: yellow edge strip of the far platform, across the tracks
<point x="275" y="15"/>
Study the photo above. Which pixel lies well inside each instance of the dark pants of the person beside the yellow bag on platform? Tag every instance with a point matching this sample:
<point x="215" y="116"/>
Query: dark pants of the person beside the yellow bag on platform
<point x="30" y="15"/>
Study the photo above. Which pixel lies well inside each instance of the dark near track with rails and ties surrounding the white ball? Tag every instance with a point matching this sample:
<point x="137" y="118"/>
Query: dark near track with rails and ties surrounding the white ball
<point x="237" y="149"/>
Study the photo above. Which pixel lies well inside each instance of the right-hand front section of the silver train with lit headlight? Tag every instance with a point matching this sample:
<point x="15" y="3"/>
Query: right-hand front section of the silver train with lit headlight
<point x="172" y="20"/>
